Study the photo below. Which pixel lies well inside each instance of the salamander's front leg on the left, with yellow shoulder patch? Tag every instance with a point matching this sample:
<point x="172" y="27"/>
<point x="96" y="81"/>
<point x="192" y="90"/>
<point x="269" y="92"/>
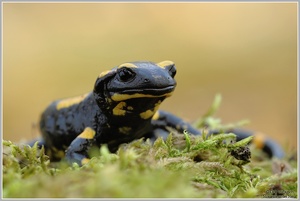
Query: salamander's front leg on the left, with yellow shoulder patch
<point x="78" y="149"/>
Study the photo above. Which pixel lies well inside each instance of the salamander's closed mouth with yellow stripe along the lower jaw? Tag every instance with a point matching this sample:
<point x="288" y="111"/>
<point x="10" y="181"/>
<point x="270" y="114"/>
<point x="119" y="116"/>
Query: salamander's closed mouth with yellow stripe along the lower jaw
<point x="142" y="93"/>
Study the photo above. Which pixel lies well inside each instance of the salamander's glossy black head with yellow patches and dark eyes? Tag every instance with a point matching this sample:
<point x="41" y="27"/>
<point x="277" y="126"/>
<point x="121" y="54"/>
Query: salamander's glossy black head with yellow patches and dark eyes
<point x="135" y="88"/>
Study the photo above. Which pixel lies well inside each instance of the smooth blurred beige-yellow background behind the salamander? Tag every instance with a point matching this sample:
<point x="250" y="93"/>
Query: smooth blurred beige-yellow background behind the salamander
<point x="245" y="51"/>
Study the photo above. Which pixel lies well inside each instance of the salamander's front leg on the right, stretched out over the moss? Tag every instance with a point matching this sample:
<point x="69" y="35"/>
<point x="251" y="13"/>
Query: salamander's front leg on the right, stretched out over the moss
<point x="161" y="120"/>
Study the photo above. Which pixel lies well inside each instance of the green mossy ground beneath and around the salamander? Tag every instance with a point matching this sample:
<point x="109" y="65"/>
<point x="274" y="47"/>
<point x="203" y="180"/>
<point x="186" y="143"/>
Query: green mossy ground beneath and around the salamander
<point x="182" y="166"/>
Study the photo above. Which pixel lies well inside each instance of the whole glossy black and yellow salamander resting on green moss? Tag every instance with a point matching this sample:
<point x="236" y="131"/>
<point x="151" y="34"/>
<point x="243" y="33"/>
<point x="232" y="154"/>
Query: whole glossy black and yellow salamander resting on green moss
<point x="122" y="107"/>
